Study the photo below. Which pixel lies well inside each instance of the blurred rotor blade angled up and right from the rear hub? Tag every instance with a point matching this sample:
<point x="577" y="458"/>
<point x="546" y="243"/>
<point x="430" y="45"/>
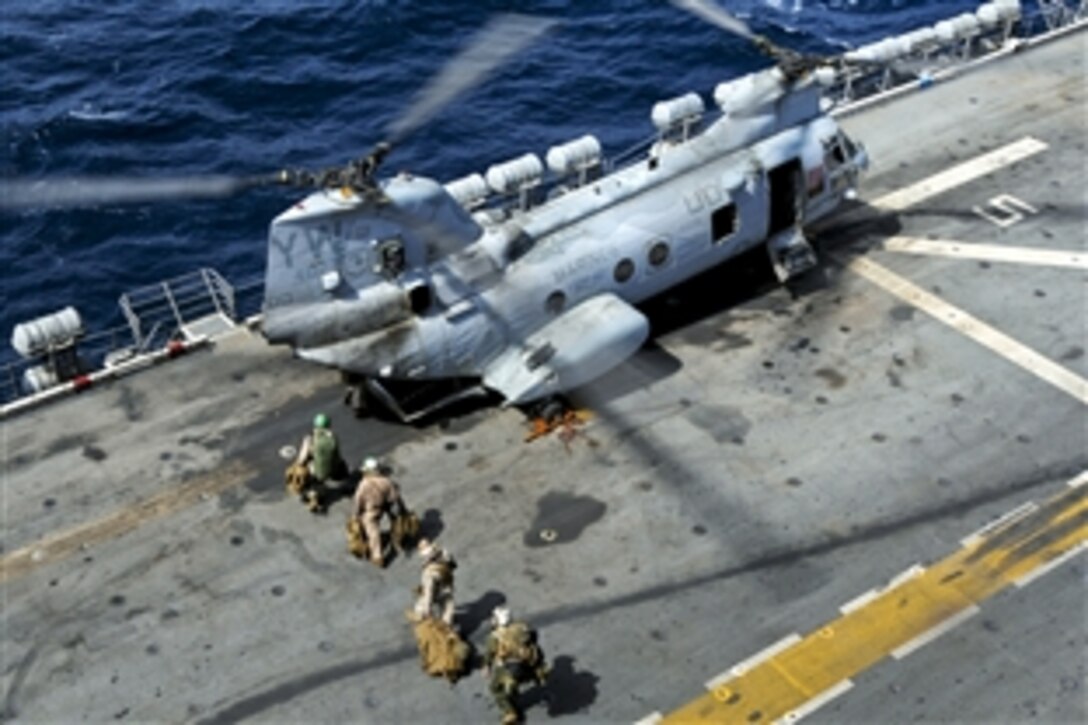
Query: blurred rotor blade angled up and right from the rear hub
<point x="500" y="40"/>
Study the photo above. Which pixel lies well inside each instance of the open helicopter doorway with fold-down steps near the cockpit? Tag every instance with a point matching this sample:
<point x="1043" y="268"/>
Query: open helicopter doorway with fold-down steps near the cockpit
<point x="790" y="253"/>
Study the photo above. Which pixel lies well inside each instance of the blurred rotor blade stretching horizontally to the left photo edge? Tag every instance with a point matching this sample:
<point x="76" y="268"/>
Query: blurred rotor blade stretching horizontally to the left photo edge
<point x="92" y="191"/>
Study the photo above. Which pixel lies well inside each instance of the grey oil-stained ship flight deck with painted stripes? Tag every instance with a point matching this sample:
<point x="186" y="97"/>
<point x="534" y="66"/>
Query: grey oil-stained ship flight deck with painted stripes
<point x="751" y="488"/>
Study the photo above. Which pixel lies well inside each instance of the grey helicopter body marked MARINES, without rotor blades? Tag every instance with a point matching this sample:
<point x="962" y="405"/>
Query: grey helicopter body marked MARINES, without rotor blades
<point x="535" y="294"/>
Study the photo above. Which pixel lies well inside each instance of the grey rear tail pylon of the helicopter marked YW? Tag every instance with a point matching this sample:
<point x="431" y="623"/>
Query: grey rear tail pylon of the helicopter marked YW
<point x="343" y="265"/>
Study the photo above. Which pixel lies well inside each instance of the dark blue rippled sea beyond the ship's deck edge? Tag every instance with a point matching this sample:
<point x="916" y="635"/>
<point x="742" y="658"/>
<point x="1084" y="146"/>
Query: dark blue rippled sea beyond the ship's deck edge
<point x="142" y="88"/>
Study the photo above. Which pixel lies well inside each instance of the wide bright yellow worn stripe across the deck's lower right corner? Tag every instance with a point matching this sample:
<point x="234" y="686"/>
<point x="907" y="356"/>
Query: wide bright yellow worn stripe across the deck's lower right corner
<point x="823" y="662"/>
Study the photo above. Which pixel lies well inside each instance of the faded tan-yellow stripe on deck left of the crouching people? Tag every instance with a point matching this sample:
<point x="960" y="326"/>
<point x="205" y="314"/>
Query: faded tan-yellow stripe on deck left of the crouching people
<point x="66" y="544"/>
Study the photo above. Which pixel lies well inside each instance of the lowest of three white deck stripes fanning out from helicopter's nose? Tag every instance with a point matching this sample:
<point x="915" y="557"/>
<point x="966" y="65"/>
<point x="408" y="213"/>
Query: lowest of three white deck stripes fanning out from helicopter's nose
<point x="981" y="333"/>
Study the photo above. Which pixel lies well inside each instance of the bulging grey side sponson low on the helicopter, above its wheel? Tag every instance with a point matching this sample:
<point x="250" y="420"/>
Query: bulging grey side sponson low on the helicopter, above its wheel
<point x="576" y="348"/>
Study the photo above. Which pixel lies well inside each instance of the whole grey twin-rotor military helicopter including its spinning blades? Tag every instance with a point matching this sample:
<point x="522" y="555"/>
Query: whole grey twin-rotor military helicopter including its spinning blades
<point x="521" y="284"/>
